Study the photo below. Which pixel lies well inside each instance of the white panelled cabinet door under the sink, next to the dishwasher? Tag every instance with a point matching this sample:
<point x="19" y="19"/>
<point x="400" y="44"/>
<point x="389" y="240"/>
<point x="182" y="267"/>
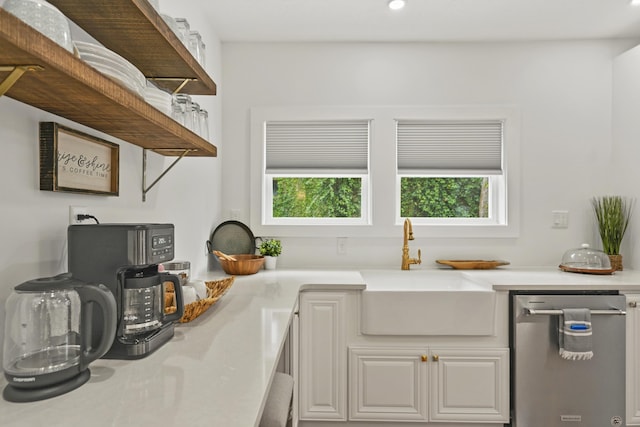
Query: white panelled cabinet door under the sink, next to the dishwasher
<point x="469" y="385"/>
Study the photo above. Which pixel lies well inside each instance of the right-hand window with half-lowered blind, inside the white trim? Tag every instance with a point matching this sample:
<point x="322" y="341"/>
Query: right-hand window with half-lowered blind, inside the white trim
<point x="450" y="171"/>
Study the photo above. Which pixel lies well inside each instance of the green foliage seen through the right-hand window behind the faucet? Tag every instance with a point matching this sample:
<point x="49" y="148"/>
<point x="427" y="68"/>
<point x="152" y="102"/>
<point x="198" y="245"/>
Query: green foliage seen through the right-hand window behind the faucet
<point x="444" y="197"/>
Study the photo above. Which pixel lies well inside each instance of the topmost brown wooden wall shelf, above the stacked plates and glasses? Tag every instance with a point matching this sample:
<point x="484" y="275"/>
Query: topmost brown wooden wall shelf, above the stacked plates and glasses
<point x="135" y="30"/>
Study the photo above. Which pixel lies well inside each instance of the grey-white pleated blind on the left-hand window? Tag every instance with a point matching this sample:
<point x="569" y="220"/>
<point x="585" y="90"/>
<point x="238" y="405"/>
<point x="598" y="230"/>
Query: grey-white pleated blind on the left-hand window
<point x="322" y="146"/>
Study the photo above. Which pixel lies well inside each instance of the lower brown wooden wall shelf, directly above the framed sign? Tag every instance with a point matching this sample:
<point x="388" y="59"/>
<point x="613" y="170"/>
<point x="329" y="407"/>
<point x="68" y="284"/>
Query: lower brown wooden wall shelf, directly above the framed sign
<point x="68" y="87"/>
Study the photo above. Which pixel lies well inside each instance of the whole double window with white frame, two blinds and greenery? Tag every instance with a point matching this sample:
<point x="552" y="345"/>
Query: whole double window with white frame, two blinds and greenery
<point x="359" y="171"/>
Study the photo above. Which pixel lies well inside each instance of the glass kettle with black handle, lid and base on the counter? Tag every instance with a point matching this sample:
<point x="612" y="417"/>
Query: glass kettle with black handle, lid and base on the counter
<point x="48" y="335"/>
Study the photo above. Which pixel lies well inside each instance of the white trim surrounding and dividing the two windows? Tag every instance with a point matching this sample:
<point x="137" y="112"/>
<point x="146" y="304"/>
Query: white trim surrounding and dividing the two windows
<point x="382" y="219"/>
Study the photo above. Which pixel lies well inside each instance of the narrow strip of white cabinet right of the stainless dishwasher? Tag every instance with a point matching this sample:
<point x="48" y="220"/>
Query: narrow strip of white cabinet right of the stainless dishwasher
<point x="633" y="360"/>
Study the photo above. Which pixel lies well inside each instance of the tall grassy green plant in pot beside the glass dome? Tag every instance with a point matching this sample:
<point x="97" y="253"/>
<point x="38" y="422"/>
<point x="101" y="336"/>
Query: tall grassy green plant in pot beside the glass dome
<point x="613" y="214"/>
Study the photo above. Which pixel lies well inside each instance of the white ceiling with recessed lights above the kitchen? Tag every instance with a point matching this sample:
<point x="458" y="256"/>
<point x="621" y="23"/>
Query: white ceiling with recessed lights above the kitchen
<point x="420" y="20"/>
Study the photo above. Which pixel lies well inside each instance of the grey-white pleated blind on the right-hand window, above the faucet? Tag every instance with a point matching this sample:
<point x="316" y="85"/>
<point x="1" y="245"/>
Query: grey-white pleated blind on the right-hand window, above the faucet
<point x="459" y="147"/>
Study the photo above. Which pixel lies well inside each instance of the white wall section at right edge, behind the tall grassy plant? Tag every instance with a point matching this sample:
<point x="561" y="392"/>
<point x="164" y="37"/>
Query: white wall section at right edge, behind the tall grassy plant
<point x="625" y="174"/>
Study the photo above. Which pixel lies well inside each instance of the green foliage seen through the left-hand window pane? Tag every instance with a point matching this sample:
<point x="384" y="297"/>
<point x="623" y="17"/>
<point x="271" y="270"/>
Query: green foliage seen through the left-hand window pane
<point x="317" y="197"/>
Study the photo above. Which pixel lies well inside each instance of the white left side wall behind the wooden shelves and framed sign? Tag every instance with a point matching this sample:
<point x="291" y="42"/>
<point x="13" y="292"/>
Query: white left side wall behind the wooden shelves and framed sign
<point x="33" y="223"/>
